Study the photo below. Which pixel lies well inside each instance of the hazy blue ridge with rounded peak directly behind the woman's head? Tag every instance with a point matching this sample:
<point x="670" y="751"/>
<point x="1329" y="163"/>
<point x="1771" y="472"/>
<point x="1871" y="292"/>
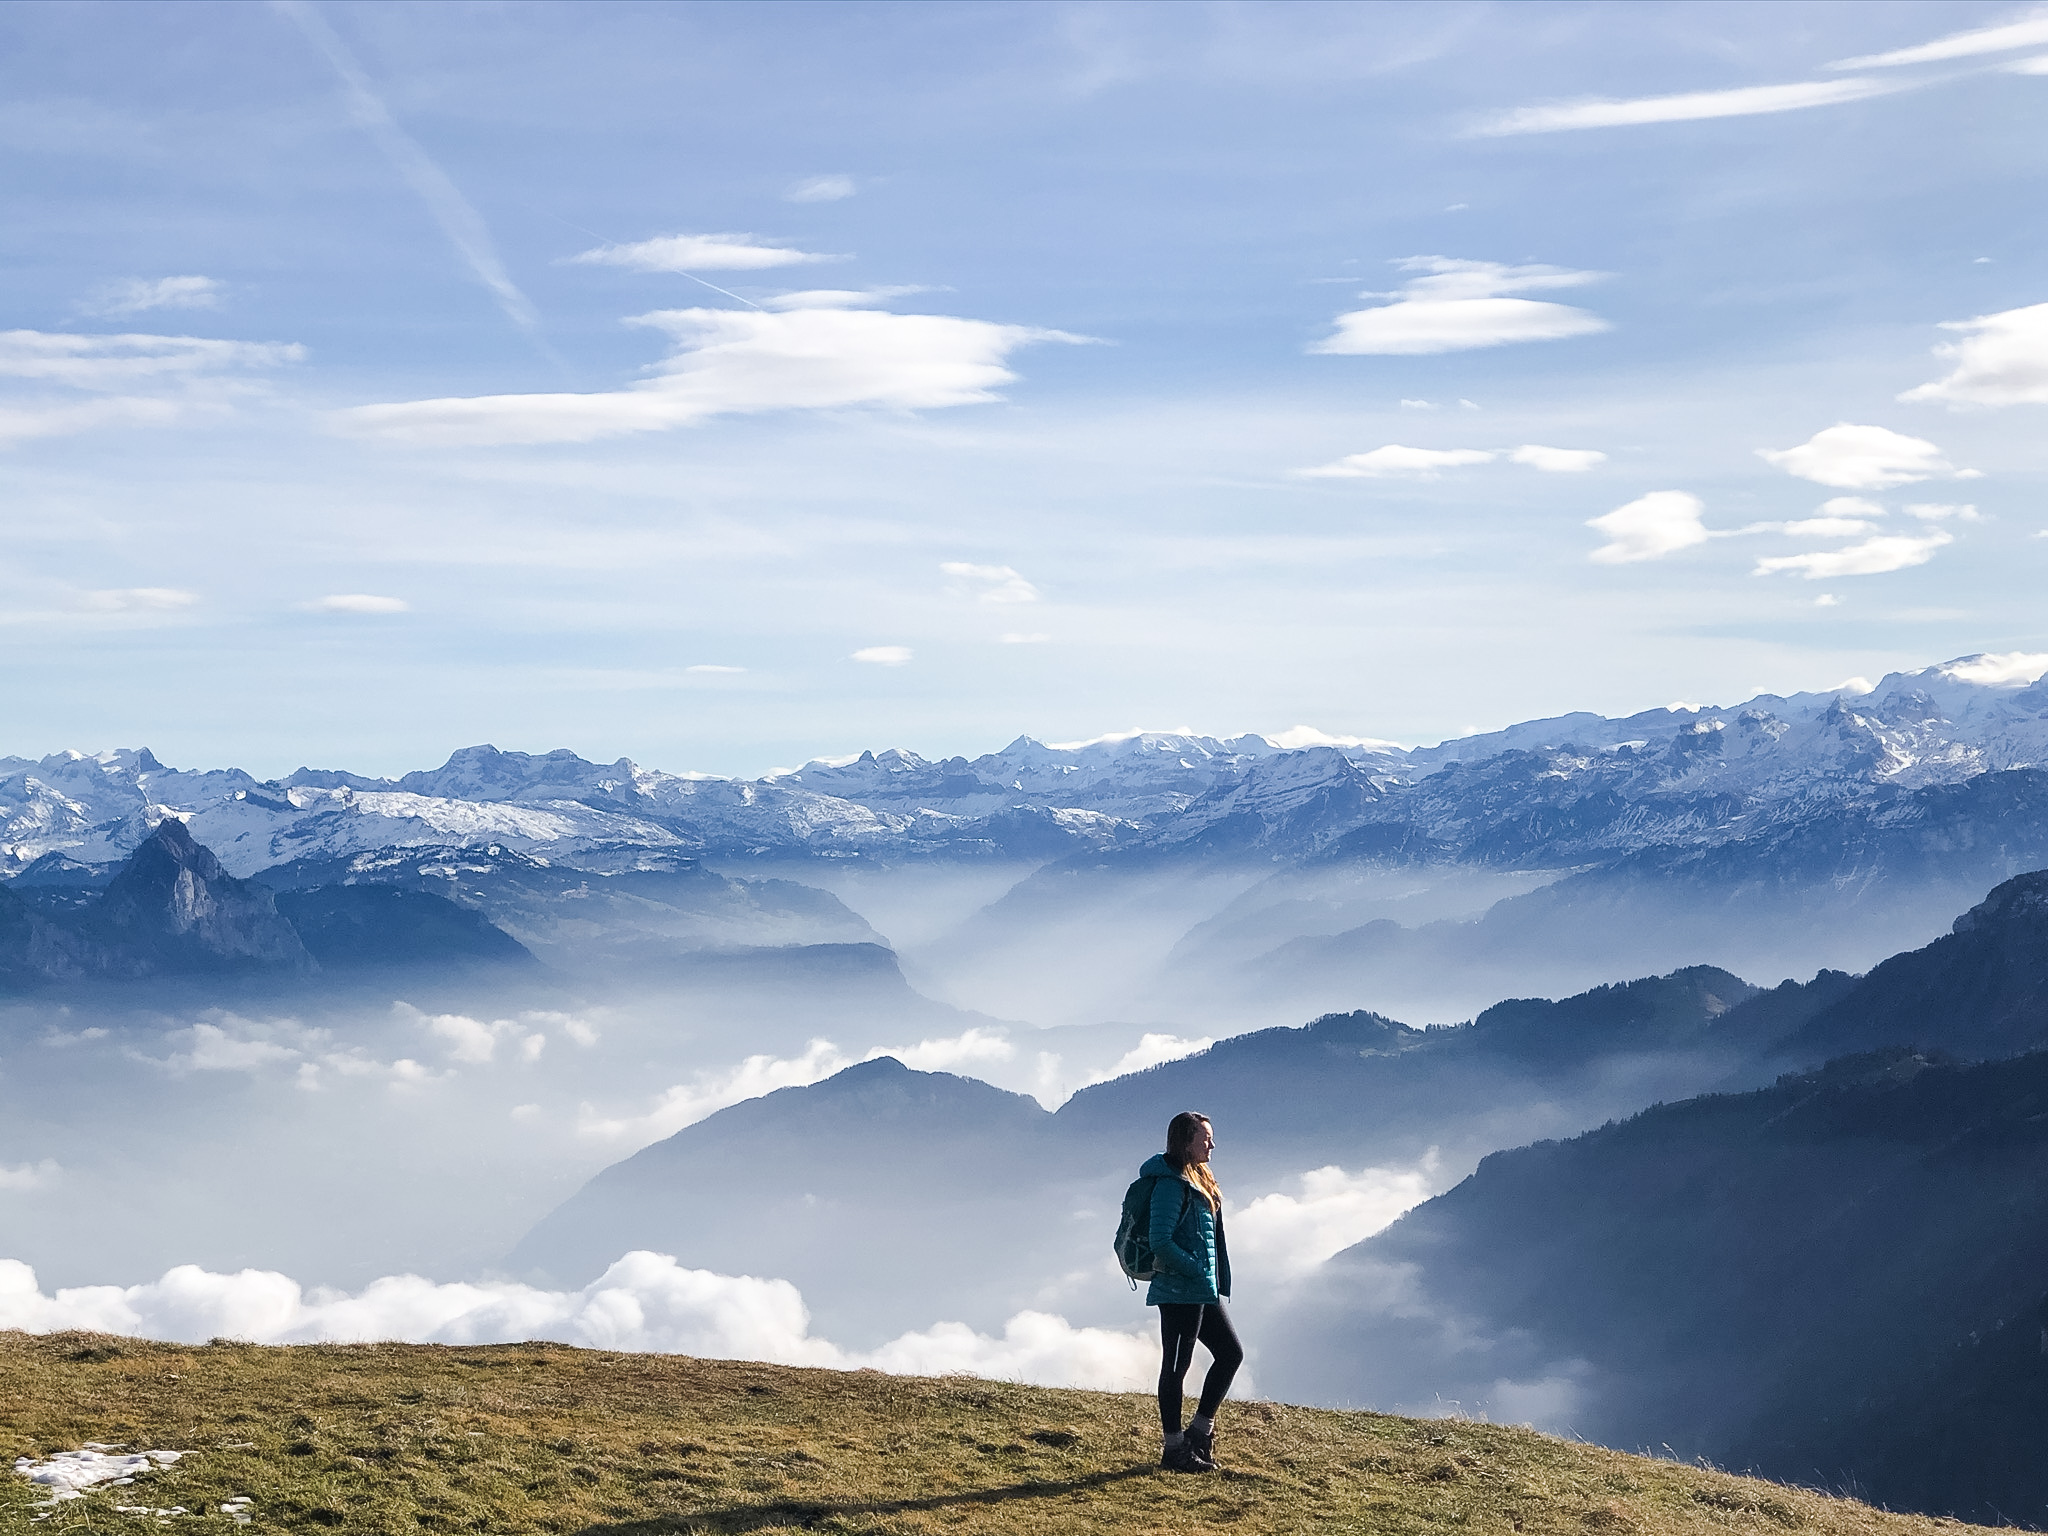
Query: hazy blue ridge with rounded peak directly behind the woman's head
<point x="888" y="1193"/>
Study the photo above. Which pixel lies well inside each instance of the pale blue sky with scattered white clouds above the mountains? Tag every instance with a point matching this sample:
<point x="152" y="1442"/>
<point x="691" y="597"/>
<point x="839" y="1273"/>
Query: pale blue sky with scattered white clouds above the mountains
<point x="726" y="386"/>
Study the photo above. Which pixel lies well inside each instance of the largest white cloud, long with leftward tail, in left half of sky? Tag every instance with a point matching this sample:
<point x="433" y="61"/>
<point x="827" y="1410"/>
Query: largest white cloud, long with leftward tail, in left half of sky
<point x="740" y="361"/>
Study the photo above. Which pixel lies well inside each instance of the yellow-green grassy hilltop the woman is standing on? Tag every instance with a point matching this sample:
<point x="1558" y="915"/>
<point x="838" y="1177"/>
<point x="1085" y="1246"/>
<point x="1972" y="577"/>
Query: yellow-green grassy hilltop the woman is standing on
<point x="546" y="1439"/>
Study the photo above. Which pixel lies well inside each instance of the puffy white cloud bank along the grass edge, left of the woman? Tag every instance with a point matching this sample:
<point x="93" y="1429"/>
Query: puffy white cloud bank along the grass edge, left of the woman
<point x="642" y="1304"/>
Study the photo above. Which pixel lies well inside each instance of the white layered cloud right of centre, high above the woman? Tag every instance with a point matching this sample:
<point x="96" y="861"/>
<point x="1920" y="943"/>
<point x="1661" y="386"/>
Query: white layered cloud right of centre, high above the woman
<point x="1457" y="306"/>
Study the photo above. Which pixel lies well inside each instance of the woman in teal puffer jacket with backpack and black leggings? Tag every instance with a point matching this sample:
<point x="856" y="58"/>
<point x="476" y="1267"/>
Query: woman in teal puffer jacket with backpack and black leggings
<point x="1191" y="1279"/>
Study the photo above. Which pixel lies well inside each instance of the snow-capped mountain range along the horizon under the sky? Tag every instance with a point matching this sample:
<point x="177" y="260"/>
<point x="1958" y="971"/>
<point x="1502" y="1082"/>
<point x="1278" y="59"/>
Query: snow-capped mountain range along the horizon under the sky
<point x="1545" y="794"/>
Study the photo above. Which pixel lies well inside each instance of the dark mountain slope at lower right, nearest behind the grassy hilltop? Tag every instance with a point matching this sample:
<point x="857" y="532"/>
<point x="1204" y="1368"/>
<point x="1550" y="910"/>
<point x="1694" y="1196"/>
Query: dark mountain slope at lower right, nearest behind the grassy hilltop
<point x="1762" y="1279"/>
